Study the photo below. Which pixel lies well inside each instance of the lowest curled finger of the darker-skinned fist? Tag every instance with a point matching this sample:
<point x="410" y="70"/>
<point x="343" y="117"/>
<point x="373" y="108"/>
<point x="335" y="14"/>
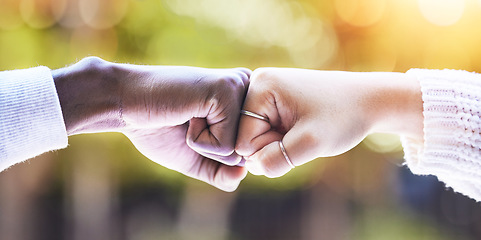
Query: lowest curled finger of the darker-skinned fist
<point x="226" y="178"/>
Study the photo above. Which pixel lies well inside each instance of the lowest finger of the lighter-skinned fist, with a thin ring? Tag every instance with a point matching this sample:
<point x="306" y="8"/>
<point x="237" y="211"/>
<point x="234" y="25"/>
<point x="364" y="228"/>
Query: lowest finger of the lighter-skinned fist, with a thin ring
<point x="300" y="146"/>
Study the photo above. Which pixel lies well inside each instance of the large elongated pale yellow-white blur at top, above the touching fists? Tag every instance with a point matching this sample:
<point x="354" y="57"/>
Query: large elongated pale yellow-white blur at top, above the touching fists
<point x="287" y="25"/>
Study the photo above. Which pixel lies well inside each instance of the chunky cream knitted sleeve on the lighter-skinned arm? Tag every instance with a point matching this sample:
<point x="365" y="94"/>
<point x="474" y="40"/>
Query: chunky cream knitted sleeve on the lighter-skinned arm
<point x="451" y="148"/>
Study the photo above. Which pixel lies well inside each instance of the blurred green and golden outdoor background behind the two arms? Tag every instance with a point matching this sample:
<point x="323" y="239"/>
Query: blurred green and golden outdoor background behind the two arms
<point x="100" y="187"/>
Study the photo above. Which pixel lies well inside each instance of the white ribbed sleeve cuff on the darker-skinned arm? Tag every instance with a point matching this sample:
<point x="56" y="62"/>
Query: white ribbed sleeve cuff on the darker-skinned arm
<point x="31" y="120"/>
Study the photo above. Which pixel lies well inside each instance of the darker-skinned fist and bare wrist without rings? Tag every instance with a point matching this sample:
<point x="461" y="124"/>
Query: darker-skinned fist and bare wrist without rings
<point x="183" y="118"/>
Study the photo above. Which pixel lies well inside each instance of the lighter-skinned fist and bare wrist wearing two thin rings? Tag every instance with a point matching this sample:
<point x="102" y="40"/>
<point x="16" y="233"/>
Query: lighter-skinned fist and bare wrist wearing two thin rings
<point x="322" y="114"/>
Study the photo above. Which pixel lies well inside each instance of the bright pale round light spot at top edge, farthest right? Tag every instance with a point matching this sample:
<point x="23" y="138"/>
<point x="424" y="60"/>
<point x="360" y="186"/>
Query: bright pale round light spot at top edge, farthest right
<point x="442" y="12"/>
